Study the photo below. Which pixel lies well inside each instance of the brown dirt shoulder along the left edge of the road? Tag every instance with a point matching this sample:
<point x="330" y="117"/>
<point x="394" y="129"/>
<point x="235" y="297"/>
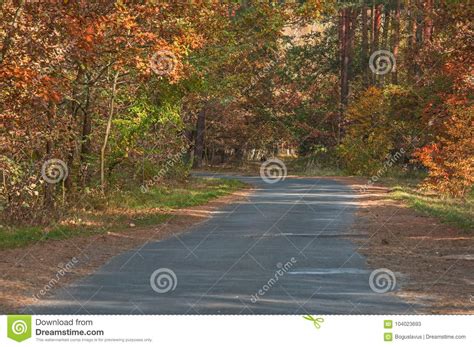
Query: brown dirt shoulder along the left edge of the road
<point x="30" y="273"/>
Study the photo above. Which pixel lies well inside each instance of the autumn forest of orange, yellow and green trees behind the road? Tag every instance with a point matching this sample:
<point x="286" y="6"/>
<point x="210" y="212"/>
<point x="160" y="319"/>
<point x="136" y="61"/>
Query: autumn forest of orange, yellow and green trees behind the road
<point x="99" y="98"/>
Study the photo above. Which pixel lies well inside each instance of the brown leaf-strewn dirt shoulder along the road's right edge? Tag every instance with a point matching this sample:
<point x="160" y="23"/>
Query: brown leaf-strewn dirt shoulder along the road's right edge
<point x="437" y="259"/>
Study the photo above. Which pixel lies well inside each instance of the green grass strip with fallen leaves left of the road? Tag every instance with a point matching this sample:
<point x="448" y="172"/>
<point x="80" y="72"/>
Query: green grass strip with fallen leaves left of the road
<point x="123" y="210"/>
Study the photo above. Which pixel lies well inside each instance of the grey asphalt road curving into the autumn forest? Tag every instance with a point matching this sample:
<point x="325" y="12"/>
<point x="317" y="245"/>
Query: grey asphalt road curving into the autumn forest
<point x="284" y="250"/>
